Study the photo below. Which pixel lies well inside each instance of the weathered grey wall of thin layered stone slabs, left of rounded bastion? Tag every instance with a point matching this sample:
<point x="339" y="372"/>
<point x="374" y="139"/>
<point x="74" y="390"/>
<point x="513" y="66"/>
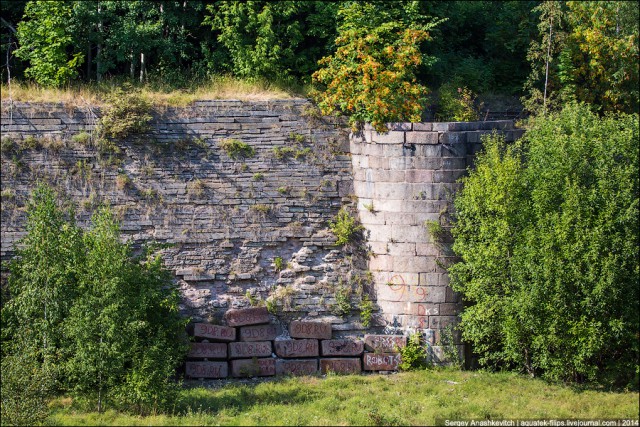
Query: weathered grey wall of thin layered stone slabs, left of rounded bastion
<point x="227" y="220"/>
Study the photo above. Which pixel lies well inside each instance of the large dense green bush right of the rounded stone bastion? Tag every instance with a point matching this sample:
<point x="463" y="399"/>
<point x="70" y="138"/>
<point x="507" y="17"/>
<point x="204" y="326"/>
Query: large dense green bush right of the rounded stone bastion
<point x="547" y="233"/>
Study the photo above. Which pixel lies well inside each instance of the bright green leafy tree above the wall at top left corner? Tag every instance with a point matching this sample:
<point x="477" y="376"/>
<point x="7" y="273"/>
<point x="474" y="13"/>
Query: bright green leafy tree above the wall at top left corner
<point x="46" y="41"/>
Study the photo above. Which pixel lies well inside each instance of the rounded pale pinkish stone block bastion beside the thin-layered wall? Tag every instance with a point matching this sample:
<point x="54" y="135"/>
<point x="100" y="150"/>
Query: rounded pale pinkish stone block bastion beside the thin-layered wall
<point x="404" y="181"/>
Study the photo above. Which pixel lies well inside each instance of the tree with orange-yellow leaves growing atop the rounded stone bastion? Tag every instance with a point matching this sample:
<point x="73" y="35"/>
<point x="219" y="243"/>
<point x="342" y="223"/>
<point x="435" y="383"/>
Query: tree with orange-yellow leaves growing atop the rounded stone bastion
<point x="371" y="76"/>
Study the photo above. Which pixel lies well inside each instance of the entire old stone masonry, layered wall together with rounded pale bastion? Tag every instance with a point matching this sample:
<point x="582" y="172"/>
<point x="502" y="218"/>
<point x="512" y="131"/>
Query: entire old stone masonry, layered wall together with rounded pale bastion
<point x="227" y="220"/>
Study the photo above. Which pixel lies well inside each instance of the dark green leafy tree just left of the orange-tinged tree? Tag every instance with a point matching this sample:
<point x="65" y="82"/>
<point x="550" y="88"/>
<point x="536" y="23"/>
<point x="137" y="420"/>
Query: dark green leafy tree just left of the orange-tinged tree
<point x="267" y="39"/>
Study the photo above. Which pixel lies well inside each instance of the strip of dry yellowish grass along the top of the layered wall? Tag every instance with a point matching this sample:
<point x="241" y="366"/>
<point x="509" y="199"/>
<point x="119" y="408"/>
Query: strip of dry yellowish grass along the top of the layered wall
<point x="217" y="87"/>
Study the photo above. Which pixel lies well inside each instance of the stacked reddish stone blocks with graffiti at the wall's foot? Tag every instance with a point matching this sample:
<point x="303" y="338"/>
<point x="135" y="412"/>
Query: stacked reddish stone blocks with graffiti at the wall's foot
<point x="249" y="345"/>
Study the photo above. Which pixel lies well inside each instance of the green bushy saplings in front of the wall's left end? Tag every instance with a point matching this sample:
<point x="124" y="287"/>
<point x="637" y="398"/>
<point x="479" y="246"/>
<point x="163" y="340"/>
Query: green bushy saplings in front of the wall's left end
<point x="100" y="322"/>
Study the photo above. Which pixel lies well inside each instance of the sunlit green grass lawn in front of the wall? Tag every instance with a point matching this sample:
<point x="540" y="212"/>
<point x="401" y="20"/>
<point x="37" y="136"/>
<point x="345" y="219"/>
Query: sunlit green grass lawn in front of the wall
<point x="410" y="398"/>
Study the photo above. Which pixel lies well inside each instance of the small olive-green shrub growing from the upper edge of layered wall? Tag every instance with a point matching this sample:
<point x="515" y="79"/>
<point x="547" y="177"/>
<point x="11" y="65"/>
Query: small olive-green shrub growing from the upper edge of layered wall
<point x="127" y="113"/>
